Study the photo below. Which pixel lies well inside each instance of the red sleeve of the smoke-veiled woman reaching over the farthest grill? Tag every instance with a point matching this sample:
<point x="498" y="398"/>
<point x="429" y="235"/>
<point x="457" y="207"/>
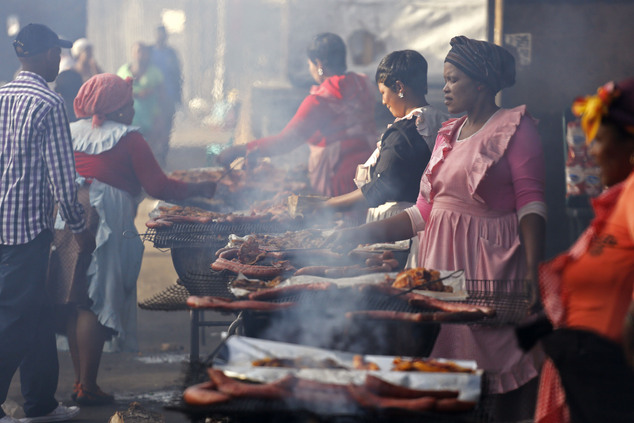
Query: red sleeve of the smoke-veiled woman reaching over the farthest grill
<point x="311" y="115"/>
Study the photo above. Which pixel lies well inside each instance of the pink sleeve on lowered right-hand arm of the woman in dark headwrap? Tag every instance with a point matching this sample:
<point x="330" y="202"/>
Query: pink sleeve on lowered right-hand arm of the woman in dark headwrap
<point x="526" y="161"/>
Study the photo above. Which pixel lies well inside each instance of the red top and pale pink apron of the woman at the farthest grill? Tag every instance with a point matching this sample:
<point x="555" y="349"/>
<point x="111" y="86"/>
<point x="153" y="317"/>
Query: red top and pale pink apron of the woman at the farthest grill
<point x="337" y="121"/>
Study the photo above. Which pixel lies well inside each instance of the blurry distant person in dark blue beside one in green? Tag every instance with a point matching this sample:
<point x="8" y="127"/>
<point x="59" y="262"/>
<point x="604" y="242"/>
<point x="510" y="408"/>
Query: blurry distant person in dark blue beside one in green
<point x="166" y="59"/>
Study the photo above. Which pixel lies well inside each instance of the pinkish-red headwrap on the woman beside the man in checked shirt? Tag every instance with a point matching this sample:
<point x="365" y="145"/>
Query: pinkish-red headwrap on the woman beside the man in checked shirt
<point x="102" y="94"/>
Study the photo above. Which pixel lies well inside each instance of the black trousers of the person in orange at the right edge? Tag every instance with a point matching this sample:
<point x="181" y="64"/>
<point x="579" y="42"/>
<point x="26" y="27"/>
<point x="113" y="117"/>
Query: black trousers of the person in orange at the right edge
<point x="598" y="382"/>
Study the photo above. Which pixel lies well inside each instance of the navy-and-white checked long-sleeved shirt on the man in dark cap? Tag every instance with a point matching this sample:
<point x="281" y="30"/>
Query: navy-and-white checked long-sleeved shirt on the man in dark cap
<point x="36" y="161"/>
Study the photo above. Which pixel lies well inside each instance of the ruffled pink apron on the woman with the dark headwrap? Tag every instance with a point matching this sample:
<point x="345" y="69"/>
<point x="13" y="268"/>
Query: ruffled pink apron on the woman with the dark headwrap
<point x="462" y="232"/>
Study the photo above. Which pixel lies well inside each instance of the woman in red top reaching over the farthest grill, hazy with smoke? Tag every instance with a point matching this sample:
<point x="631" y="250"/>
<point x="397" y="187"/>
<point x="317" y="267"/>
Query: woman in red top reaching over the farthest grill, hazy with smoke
<point x="336" y="119"/>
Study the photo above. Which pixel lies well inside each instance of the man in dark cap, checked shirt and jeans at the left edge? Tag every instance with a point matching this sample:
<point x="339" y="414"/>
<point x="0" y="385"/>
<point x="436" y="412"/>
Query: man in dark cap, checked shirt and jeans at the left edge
<point x="37" y="168"/>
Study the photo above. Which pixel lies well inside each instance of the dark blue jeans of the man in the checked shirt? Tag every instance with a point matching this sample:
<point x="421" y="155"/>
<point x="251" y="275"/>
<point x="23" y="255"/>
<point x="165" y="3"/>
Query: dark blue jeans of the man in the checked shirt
<point x="27" y="338"/>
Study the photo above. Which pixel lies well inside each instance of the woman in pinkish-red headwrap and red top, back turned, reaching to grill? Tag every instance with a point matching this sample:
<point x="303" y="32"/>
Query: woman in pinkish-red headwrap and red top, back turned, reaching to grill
<point x="99" y="293"/>
